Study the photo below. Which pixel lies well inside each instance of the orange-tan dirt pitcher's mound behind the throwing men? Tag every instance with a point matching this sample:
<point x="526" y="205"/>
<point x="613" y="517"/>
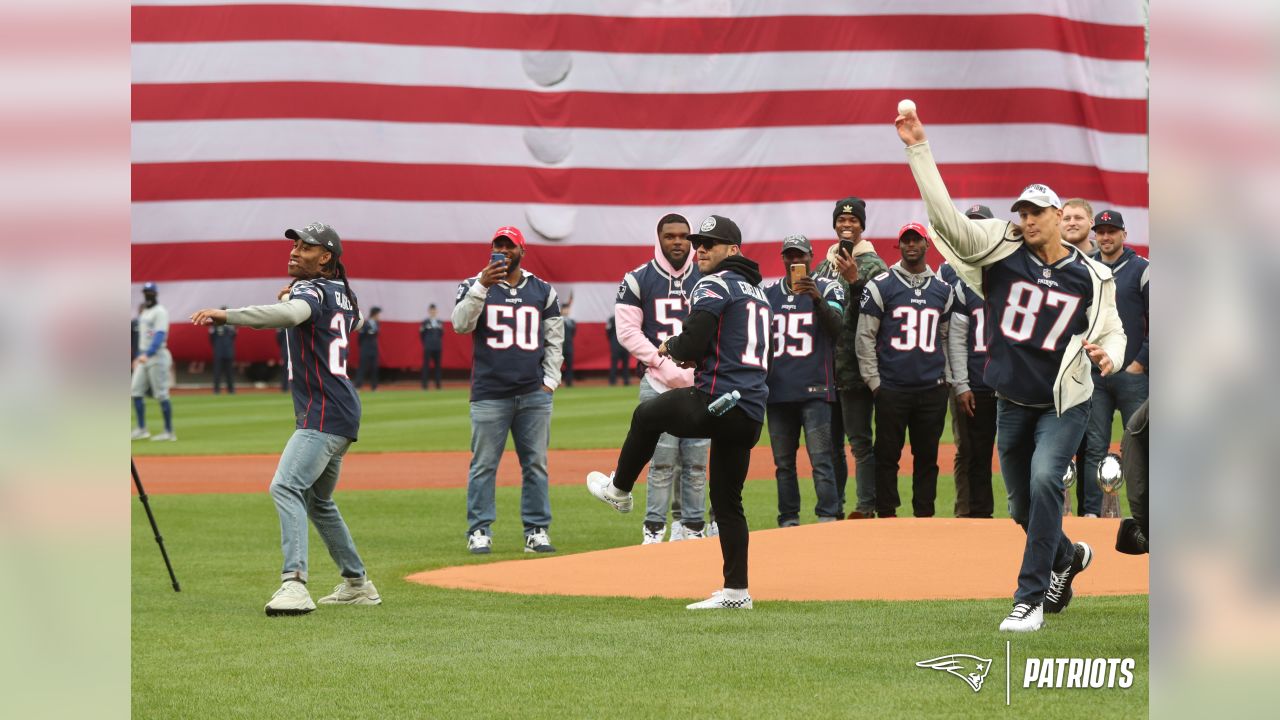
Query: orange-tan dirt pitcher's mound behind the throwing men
<point x="890" y="559"/>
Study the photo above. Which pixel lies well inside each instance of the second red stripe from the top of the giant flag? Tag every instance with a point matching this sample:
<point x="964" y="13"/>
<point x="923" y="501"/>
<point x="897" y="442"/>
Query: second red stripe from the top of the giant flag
<point x="474" y="106"/>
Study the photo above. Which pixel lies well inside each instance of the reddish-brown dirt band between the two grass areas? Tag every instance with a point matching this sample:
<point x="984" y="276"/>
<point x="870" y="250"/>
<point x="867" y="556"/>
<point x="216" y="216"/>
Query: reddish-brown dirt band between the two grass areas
<point x="412" y="471"/>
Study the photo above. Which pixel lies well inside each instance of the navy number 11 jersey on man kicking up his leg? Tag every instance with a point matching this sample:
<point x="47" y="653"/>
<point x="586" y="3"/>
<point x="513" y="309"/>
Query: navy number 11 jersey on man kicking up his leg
<point x="740" y="348"/>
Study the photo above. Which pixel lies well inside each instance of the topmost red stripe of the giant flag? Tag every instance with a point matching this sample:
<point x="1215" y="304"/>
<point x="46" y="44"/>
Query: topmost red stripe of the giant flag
<point x="595" y="34"/>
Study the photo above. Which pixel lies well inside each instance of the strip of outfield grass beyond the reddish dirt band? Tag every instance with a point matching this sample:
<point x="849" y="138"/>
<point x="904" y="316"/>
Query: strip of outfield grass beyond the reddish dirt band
<point x="395" y="421"/>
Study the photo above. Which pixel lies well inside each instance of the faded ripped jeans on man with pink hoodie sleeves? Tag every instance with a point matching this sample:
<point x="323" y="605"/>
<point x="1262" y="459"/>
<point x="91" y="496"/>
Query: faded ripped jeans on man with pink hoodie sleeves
<point x="675" y="462"/>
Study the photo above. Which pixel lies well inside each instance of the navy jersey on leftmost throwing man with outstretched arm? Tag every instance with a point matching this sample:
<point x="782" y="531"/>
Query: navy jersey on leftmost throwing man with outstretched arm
<point x="323" y="398"/>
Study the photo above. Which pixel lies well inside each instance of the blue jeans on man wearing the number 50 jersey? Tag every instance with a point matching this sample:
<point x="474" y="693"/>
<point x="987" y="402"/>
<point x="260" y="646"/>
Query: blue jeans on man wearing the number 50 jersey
<point x="529" y="420"/>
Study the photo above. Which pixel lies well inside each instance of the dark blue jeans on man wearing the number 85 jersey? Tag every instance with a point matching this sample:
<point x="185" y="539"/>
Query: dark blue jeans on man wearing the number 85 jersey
<point x="785" y="423"/>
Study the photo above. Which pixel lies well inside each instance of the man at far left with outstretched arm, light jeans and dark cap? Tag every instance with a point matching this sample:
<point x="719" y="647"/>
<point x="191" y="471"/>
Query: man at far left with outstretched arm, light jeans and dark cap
<point x="319" y="313"/>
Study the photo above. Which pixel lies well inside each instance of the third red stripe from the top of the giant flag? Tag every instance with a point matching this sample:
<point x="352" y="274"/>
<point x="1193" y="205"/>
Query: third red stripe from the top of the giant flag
<point x="592" y="186"/>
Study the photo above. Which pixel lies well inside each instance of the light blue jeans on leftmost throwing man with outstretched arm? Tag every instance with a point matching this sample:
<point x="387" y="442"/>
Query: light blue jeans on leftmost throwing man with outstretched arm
<point x="303" y="489"/>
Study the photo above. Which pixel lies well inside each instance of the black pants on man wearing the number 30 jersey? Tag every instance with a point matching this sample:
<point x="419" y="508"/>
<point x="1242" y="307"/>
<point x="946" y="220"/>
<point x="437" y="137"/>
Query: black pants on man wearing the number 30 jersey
<point x="922" y="413"/>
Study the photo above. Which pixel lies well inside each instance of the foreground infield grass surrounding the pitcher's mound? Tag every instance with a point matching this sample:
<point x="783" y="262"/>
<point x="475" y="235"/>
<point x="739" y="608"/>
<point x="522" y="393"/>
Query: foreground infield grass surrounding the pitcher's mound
<point x="429" y="653"/>
